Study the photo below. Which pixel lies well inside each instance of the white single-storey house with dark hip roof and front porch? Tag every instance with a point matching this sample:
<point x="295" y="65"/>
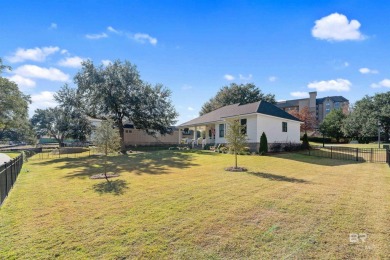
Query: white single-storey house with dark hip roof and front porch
<point x="259" y="117"/>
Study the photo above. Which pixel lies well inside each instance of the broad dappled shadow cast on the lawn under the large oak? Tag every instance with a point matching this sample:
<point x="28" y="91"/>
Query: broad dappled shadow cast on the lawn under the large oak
<point x="157" y="162"/>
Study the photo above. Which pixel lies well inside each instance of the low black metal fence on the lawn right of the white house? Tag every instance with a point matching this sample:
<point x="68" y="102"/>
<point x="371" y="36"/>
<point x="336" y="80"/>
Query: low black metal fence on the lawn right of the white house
<point x="376" y="155"/>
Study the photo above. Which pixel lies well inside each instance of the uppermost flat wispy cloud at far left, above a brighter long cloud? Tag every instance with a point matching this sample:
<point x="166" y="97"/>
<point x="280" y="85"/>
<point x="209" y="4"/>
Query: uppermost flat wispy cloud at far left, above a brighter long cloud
<point x="36" y="54"/>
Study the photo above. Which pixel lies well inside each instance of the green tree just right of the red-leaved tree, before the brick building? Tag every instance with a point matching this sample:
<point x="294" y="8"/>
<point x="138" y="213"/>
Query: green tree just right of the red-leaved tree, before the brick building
<point x="333" y="123"/>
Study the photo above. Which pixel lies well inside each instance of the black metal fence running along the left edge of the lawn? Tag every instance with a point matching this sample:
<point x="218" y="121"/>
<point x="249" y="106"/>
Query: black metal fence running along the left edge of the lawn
<point x="9" y="171"/>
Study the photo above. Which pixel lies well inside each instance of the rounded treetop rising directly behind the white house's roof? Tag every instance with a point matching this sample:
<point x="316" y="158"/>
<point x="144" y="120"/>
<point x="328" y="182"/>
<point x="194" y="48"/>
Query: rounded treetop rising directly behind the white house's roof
<point x="233" y="94"/>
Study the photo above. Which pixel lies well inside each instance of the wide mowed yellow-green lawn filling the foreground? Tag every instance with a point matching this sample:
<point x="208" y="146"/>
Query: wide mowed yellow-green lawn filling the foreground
<point x="183" y="205"/>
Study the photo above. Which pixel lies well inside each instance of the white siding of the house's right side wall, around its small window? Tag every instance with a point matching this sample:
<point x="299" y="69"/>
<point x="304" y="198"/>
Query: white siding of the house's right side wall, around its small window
<point x="272" y="126"/>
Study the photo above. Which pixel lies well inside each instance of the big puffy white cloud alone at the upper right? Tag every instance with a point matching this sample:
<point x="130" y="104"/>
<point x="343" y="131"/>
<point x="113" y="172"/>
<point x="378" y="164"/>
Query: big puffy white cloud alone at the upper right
<point x="336" y="27"/>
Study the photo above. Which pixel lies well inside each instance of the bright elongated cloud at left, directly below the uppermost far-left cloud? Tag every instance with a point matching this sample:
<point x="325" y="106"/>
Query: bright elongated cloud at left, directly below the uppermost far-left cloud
<point x="33" y="71"/>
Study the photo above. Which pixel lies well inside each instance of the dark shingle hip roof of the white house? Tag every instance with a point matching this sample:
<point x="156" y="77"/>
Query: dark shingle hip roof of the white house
<point x="261" y="107"/>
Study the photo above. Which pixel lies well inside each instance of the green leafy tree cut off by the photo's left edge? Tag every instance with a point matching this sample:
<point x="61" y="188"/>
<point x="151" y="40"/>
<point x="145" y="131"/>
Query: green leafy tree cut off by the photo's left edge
<point x="14" y="122"/>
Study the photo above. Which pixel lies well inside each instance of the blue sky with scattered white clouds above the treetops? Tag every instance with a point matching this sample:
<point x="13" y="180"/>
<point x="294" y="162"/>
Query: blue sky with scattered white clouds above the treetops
<point x="287" y="48"/>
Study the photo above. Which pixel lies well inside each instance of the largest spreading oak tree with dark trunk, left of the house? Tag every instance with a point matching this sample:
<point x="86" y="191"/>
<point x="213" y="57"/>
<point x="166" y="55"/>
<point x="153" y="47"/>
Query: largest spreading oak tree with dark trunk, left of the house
<point x="116" y="91"/>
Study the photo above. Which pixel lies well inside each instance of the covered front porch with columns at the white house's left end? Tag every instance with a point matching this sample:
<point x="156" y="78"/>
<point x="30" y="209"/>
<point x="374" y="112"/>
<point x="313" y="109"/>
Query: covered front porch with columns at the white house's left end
<point x="197" y="135"/>
